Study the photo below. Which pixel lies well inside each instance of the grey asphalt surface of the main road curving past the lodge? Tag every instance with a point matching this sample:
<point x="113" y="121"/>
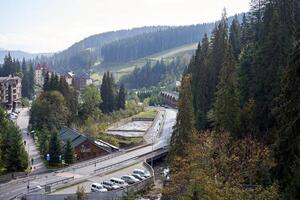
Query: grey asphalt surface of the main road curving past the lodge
<point x="79" y="172"/>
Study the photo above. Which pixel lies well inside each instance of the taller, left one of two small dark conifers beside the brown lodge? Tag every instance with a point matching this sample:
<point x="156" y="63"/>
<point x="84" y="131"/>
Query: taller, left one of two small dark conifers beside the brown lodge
<point x="54" y="149"/>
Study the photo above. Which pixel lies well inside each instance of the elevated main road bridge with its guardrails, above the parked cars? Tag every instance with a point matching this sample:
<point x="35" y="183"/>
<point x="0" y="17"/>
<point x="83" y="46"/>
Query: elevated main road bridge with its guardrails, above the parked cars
<point x="82" y="171"/>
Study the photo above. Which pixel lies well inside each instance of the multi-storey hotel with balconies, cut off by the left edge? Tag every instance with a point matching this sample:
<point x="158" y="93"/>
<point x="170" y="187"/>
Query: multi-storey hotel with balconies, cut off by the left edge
<point x="10" y="91"/>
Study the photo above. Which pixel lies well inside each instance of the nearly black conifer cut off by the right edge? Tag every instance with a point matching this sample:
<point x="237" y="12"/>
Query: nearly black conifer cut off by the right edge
<point x="288" y="140"/>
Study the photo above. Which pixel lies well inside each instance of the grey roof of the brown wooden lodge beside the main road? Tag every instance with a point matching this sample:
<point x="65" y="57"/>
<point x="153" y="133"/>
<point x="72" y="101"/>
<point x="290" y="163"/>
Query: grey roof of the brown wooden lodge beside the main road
<point x="77" y="138"/>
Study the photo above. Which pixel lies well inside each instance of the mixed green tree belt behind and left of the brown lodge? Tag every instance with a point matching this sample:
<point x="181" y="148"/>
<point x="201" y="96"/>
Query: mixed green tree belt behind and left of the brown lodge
<point x="59" y="105"/>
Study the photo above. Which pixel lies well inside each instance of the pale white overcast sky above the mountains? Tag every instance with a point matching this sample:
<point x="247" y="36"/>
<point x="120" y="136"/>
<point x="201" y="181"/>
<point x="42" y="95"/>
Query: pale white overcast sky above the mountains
<point x="39" y="26"/>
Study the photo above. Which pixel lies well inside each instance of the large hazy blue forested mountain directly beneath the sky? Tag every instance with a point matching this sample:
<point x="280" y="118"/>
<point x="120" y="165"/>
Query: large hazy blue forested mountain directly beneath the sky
<point x="126" y="45"/>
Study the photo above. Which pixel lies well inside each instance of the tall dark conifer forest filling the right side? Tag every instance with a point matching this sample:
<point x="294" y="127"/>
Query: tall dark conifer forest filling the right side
<point x="243" y="81"/>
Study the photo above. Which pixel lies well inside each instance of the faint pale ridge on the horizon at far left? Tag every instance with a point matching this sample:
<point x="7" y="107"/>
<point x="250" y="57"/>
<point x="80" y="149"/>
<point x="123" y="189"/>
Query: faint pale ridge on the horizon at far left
<point x="21" y="54"/>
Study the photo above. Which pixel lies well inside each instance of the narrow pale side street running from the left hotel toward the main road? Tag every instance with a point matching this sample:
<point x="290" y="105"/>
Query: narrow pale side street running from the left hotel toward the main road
<point x="22" y="121"/>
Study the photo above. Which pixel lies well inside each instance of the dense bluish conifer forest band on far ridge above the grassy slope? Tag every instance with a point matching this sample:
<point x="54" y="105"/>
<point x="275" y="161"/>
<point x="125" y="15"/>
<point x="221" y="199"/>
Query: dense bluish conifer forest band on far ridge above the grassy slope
<point x="151" y="43"/>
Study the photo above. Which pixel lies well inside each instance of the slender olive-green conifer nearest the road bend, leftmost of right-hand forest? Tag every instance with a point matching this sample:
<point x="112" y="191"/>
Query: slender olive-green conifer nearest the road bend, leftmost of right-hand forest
<point x="185" y="119"/>
